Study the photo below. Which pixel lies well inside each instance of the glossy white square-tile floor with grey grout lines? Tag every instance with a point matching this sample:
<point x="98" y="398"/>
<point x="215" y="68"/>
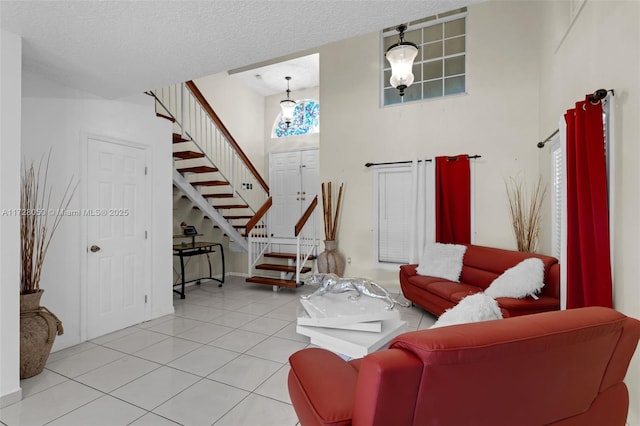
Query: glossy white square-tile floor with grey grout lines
<point x="221" y="359"/>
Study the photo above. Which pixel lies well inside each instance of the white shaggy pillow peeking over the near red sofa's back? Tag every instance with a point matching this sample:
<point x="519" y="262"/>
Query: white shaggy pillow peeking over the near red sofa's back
<point x="473" y="308"/>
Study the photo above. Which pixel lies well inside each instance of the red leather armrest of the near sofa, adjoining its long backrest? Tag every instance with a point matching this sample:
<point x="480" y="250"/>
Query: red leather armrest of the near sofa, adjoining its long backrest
<point x="387" y="388"/>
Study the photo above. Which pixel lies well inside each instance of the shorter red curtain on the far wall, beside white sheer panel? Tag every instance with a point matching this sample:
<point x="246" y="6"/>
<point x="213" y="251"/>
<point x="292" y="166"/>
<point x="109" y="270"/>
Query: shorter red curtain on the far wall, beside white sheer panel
<point x="453" y="199"/>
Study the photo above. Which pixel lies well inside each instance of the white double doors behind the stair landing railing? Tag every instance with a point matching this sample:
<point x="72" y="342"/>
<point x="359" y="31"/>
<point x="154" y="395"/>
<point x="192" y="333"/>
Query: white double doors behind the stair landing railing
<point x="294" y="181"/>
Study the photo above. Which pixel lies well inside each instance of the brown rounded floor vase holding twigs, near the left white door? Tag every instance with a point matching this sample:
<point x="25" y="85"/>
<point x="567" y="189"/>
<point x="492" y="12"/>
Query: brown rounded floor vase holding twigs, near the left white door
<point x="38" y="330"/>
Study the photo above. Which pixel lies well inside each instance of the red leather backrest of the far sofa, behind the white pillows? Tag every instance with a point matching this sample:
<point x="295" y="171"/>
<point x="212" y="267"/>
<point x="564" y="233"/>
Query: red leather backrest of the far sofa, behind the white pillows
<point x="481" y="265"/>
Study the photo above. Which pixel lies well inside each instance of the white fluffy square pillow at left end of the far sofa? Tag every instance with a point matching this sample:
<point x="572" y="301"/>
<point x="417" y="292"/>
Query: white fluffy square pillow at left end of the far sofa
<point x="442" y="261"/>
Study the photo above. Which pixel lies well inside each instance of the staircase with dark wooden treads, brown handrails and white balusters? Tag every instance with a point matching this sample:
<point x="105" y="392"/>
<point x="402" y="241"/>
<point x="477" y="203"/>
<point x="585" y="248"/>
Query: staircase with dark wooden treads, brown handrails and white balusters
<point x="211" y="171"/>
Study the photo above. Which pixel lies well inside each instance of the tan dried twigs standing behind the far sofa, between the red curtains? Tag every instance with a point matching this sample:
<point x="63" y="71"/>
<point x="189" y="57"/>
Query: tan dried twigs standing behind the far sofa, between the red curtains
<point x="526" y="212"/>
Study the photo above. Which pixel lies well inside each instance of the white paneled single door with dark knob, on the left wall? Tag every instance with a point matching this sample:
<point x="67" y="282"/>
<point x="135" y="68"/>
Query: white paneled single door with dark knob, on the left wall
<point x="117" y="278"/>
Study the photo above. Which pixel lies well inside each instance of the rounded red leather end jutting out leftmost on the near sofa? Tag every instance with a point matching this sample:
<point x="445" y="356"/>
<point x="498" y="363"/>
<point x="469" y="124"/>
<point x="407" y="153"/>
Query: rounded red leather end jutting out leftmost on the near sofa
<point x="322" y="387"/>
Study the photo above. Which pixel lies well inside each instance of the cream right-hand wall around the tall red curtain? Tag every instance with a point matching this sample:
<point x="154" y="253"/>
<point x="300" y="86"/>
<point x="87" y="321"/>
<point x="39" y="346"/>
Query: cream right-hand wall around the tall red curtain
<point x="601" y="51"/>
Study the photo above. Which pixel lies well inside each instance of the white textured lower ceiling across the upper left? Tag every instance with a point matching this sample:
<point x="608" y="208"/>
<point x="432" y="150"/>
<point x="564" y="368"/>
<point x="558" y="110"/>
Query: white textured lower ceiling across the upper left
<point x="120" y="48"/>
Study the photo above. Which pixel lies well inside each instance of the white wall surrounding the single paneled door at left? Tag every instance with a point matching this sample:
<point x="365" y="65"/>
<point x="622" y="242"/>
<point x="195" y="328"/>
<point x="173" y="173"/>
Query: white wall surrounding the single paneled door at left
<point x="56" y="116"/>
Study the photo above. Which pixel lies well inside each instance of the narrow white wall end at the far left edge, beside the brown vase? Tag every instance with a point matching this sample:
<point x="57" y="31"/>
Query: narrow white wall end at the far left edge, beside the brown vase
<point x="10" y="100"/>
